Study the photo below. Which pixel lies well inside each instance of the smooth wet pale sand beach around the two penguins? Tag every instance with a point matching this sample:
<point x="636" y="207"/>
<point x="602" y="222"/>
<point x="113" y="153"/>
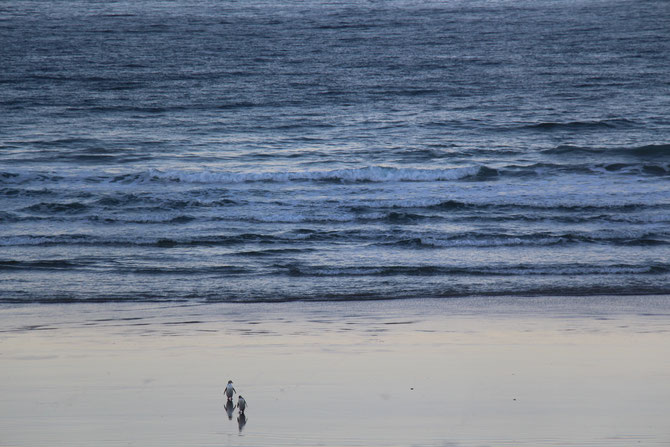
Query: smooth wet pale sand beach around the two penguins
<point x="463" y="372"/>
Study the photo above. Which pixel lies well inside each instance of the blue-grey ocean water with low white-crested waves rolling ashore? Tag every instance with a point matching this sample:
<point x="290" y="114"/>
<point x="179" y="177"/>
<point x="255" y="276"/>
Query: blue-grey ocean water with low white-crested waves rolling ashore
<point x="333" y="150"/>
